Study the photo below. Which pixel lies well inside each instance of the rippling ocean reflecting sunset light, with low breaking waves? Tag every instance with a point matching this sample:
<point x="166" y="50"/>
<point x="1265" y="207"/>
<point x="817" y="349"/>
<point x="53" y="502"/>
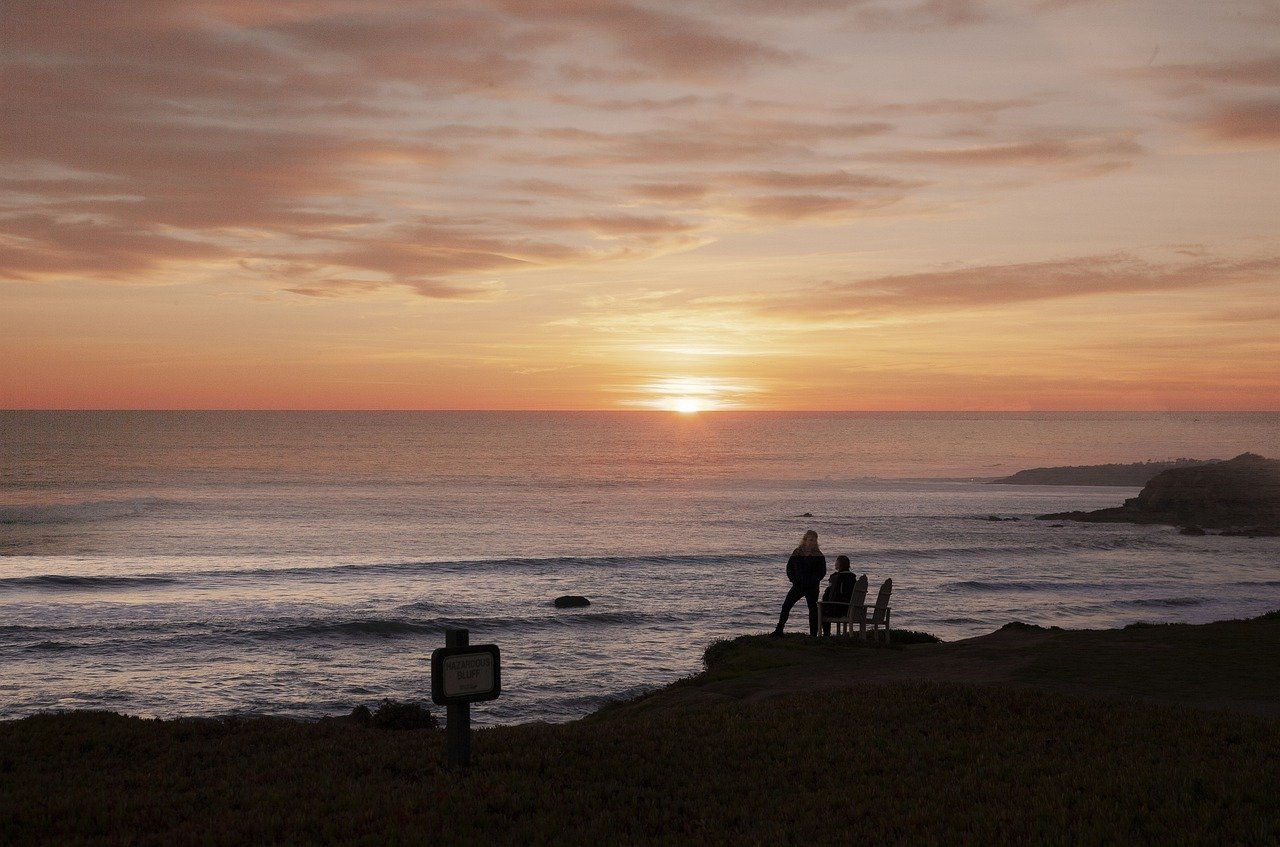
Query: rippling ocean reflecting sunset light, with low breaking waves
<point x="303" y="564"/>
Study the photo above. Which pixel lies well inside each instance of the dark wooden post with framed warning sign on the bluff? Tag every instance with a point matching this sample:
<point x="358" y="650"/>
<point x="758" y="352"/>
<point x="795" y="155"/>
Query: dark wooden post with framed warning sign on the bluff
<point x="463" y="675"/>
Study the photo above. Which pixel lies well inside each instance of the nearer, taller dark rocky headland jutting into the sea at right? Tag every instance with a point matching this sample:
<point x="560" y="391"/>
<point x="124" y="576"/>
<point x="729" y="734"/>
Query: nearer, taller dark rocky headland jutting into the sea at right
<point x="1238" y="495"/>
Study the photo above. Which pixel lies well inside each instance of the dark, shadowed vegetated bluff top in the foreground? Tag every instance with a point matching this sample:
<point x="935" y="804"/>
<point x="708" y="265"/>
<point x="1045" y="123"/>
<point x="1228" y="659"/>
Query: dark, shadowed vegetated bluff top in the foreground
<point x="755" y="750"/>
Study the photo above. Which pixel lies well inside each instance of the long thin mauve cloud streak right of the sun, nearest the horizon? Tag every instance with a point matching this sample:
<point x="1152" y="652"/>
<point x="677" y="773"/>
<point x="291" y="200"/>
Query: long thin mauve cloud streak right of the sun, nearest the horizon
<point x="1011" y="285"/>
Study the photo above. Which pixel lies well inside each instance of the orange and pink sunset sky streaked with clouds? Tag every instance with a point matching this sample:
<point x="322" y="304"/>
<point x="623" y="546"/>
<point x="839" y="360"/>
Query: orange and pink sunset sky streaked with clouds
<point x="689" y="205"/>
